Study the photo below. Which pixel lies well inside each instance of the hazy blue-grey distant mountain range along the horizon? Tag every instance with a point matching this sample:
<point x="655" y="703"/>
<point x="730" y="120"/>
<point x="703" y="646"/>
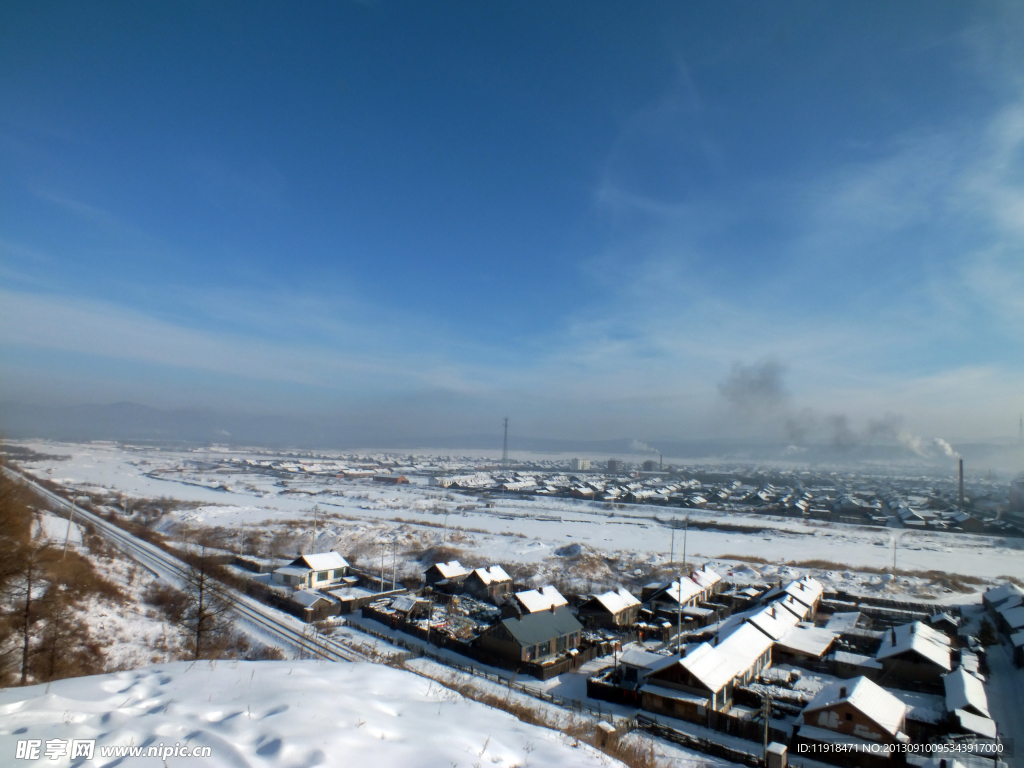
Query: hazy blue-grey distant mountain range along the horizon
<point x="134" y="423"/>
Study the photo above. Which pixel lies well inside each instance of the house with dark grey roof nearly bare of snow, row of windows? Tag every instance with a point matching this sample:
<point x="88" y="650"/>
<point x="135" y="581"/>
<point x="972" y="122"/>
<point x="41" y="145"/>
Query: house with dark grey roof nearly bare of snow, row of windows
<point x="535" y="637"/>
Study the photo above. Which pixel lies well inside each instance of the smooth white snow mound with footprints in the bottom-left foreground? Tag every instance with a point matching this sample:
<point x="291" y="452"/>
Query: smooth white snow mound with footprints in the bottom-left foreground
<point x="271" y="714"/>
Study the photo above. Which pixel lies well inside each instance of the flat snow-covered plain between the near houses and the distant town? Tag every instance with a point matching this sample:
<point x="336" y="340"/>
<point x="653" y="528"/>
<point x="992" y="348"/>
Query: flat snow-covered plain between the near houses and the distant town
<point x="358" y="516"/>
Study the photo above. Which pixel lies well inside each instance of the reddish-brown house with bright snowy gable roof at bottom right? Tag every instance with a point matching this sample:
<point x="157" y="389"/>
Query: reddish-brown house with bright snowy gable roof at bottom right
<point x="852" y="711"/>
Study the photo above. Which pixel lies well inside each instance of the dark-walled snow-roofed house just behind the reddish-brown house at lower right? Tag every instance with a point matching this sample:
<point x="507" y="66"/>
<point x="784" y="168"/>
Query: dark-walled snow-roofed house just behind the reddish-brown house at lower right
<point x="915" y="656"/>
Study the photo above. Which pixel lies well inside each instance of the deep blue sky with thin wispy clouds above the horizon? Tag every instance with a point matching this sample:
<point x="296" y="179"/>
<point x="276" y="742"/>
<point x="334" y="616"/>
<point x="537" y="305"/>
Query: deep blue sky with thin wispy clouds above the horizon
<point x="591" y="218"/>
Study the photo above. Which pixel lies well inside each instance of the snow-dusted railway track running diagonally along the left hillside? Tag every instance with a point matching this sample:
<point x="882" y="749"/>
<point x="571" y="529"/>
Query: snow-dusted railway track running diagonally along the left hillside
<point x="278" y="625"/>
